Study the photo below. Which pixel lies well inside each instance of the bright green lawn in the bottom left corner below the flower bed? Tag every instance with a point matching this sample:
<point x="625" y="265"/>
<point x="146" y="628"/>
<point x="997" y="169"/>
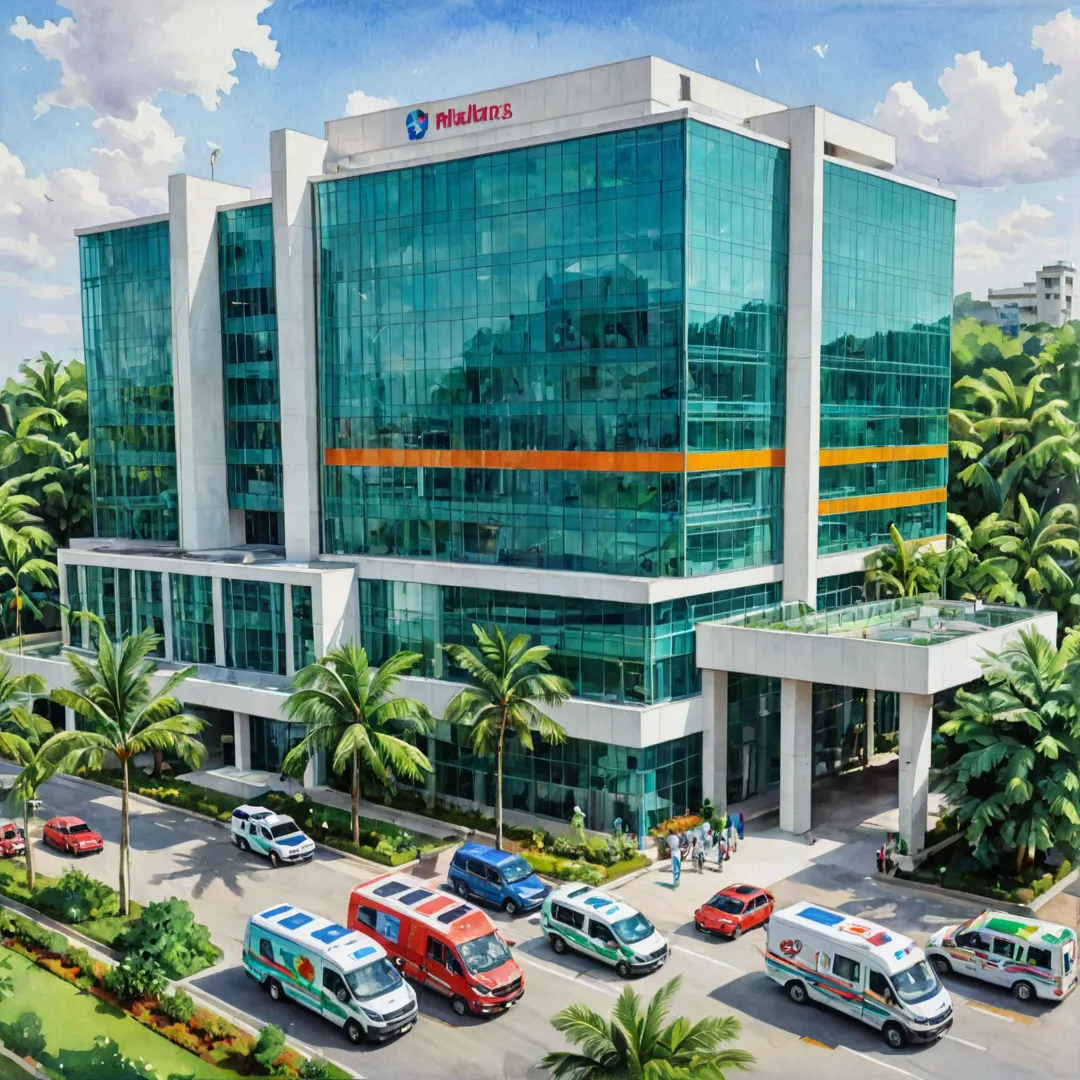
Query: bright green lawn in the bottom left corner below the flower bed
<point x="71" y="1020"/>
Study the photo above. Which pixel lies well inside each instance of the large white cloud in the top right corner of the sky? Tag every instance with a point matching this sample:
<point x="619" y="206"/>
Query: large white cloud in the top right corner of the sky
<point x="988" y="133"/>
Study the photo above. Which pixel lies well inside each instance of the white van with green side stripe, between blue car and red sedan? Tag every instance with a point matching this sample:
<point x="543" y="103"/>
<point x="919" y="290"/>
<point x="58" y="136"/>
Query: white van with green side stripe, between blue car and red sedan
<point x="587" y="921"/>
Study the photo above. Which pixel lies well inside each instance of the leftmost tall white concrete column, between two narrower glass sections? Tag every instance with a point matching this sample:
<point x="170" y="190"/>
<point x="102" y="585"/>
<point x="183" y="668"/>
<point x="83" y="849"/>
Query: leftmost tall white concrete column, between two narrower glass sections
<point x="198" y="372"/>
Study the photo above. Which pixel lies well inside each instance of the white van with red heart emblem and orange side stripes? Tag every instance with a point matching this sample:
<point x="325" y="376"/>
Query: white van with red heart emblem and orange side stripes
<point x="858" y="968"/>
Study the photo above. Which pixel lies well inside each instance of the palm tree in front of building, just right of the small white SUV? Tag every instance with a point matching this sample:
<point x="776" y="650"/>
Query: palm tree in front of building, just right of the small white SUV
<point x="349" y="710"/>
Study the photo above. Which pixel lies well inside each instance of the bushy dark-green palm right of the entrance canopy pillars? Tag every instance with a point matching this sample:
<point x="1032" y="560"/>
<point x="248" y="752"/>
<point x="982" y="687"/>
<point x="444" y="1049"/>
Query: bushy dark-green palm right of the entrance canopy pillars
<point x="1012" y="769"/>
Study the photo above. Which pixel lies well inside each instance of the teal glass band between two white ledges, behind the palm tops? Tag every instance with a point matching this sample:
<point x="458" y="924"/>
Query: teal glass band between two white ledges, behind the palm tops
<point x="617" y="653"/>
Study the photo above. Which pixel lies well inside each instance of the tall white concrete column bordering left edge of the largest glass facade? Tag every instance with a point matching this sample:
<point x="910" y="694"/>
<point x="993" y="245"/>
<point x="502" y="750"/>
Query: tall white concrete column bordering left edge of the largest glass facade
<point x="294" y="158"/>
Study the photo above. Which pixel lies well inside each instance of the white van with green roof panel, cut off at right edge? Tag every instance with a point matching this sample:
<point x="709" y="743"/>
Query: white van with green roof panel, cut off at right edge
<point x="1034" y="960"/>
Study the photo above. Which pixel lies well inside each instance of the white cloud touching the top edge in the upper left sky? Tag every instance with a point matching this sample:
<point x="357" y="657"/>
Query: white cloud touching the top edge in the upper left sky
<point x="116" y="55"/>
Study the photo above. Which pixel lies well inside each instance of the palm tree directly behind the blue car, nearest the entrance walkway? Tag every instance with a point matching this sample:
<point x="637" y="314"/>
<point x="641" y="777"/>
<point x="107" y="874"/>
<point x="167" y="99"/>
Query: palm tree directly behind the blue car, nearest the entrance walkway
<point x="508" y="679"/>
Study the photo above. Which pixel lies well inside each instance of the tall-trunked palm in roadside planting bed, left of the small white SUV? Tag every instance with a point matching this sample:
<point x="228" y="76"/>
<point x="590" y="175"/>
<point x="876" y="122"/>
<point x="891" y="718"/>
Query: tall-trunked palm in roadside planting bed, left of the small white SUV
<point x="126" y="719"/>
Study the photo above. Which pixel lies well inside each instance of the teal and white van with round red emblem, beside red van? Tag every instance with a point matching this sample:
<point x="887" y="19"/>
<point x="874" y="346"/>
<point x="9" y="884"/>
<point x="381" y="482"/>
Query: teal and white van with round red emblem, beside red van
<point x="339" y="974"/>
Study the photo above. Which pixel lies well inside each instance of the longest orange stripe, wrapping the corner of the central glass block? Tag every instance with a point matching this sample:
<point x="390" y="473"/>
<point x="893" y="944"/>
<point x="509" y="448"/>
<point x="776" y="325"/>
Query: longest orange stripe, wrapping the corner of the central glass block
<point x="551" y="461"/>
